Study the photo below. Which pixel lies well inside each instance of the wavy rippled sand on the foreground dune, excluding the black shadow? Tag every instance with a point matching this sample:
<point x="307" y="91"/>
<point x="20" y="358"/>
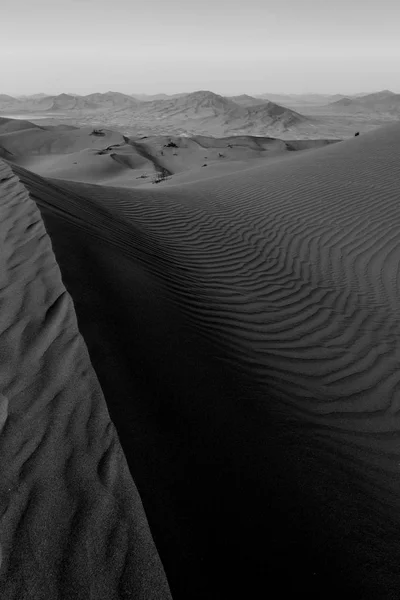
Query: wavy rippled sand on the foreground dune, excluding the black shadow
<point x="291" y="272"/>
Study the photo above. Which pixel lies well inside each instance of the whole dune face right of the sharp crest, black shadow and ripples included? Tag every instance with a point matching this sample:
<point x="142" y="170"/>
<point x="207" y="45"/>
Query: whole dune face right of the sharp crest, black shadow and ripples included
<point x="245" y="334"/>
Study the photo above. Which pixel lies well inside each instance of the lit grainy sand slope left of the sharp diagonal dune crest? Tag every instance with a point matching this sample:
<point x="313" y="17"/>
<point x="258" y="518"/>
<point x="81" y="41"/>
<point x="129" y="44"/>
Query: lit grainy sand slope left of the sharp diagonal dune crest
<point x="72" y="523"/>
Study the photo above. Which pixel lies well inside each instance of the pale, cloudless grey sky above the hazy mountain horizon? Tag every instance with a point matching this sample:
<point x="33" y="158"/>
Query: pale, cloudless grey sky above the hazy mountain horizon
<point x="227" y="46"/>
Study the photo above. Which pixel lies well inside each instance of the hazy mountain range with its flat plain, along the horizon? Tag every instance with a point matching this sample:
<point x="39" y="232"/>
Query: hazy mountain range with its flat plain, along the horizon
<point x="207" y="113"/>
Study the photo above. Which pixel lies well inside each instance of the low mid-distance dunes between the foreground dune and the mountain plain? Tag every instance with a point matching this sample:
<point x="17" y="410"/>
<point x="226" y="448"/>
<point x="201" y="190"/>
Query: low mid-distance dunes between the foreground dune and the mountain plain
<point x="108" y="157"/>
